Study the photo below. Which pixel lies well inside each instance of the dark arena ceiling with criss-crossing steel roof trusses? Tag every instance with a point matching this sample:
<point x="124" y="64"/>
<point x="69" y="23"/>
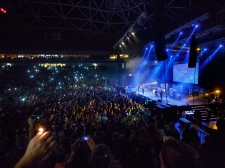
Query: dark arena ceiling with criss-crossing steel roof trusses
<point x="84" y="26"/>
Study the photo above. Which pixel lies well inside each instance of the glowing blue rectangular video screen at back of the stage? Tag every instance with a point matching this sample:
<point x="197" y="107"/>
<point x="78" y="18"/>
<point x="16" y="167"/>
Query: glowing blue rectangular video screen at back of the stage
<point x="183" y="74"/>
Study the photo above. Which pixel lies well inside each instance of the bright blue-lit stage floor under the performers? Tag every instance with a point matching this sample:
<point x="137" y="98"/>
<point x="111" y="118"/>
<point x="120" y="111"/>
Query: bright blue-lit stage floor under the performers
<point x="185" y="99"/>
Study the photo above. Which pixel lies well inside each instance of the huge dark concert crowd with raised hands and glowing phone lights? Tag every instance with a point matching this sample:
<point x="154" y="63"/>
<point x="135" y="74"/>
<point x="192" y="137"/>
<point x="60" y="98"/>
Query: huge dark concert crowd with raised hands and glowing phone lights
<point x="88" y="124"/>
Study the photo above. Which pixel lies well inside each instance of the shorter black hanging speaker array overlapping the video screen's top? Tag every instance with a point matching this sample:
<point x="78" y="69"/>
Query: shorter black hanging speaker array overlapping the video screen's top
<point x="193" y="52"/>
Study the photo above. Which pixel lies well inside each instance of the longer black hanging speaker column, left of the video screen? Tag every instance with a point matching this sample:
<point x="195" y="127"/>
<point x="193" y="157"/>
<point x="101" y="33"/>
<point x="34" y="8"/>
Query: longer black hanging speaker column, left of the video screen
<point x="159" y="31"/>
